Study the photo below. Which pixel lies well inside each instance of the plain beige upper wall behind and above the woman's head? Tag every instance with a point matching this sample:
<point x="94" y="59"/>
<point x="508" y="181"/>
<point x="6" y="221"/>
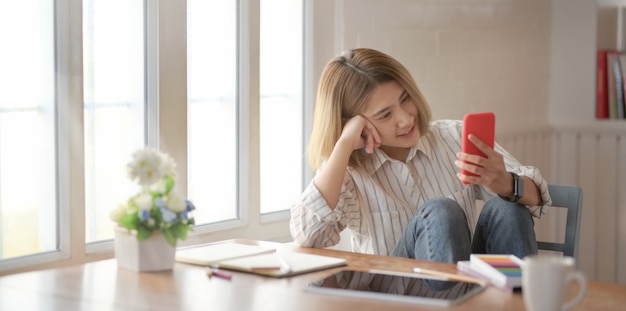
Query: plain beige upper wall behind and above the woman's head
<point x="465" y="55"/>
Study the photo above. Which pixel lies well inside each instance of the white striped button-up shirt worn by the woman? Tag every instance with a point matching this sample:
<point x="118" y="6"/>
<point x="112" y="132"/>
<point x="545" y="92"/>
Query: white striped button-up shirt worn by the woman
<point x="378" y="200"/>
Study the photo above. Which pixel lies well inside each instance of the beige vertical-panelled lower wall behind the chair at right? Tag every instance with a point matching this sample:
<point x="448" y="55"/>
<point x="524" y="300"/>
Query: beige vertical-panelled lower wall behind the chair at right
<point x="595" y="160"/>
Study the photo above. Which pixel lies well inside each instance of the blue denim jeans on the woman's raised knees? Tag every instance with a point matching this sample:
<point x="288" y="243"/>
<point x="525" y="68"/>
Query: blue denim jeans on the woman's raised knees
<point x="439" y="232"/>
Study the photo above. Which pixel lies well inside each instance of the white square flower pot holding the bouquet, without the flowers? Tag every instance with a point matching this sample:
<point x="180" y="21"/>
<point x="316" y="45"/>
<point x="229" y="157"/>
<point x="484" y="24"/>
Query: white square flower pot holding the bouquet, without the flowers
<point x="153" y="254"/>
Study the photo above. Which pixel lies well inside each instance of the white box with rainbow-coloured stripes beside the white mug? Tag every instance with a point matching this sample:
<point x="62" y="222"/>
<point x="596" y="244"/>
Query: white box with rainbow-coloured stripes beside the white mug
<point x="503" y="271"/>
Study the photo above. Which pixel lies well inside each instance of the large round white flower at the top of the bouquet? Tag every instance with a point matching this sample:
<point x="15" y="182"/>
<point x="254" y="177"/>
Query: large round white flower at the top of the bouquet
<point x="146" y="166"/>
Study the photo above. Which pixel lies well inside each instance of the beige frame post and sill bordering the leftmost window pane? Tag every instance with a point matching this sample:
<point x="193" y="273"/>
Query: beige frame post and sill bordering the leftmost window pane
<point x="68" y="119"/>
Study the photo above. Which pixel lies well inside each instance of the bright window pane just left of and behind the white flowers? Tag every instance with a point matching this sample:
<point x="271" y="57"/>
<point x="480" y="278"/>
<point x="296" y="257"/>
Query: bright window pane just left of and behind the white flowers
<point x="114" y="101"/>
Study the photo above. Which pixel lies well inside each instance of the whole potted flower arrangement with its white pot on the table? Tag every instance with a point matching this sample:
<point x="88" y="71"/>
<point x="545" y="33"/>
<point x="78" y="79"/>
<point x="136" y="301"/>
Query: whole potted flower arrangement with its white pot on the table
<point x="151" y="222"/>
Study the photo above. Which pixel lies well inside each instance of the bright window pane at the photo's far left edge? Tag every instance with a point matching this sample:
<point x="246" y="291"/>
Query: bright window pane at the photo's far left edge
<point x="28" y="209"/>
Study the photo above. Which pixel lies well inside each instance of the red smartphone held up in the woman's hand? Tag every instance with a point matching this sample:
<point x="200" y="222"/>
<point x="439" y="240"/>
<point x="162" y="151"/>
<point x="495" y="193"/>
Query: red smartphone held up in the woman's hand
<point x="481" y="124"/>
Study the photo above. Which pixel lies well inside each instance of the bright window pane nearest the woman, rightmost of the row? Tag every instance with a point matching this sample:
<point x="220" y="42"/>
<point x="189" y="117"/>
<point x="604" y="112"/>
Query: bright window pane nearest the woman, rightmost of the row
<point x="281" y="130"/>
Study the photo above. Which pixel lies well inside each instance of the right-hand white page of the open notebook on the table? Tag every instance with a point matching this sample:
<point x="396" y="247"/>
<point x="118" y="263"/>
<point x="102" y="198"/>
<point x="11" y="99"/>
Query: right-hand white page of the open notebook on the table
<point x="282" y="263"/>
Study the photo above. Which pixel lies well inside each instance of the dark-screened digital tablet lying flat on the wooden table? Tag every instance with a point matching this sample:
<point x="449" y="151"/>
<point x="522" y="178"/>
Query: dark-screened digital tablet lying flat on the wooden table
<point x="395" y="286"/>
